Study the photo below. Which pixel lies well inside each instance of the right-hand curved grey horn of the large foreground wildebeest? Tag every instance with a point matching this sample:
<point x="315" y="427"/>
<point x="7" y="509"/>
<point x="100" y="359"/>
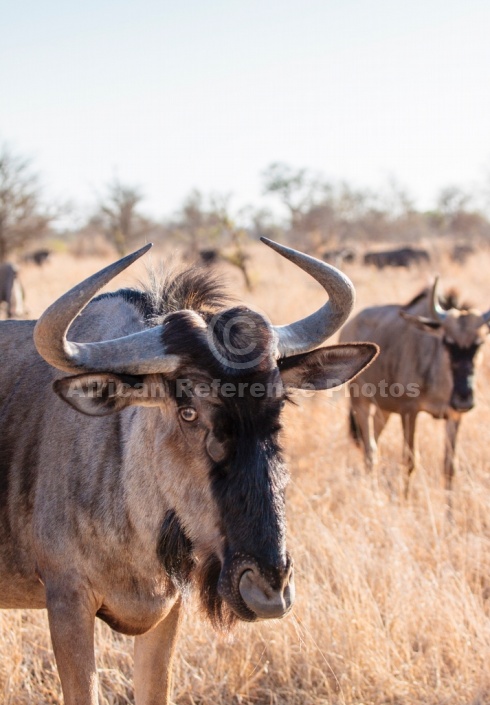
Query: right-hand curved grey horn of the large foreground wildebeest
<point x="310" y="332"/>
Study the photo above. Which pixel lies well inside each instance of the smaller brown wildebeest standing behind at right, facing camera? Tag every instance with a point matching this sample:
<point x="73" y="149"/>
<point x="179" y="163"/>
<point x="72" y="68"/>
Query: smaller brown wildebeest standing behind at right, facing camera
<point x="429" y="350"/>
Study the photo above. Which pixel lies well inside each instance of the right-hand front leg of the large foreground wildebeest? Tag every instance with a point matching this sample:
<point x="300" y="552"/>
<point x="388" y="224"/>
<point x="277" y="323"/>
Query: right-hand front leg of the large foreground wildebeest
<point x="153" y="653"/>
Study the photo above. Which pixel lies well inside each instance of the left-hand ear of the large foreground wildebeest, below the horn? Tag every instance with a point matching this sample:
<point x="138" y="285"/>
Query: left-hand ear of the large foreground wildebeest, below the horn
<point x="101" y="394"/>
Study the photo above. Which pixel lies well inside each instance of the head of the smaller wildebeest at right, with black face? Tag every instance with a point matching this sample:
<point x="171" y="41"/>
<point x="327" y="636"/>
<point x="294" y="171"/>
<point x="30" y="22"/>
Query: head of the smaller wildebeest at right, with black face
<point x="462" y="332"/>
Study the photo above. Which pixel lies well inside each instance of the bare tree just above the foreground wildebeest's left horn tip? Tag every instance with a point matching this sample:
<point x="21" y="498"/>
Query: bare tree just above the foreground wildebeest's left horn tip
<point x="119" y="216"/>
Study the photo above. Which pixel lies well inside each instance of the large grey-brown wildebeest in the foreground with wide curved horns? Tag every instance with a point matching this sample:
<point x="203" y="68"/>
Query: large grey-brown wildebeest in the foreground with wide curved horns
<point x="171" y="478"/>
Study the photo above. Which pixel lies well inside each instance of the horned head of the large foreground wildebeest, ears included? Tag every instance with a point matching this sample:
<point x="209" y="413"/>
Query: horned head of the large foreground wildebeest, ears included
<point x="225" y="376"/>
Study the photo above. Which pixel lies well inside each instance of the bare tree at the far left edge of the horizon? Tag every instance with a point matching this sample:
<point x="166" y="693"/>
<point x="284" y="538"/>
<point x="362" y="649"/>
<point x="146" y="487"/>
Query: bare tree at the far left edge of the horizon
<point x="22" y="217"/>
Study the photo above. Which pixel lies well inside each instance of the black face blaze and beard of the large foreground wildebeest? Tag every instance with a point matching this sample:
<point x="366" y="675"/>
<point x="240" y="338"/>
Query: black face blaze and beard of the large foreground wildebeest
<point x="231" y="349"/>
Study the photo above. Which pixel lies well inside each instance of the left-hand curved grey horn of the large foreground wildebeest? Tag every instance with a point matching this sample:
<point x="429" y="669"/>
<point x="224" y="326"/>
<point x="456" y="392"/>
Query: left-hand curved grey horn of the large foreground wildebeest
<point x="138" y="353"/>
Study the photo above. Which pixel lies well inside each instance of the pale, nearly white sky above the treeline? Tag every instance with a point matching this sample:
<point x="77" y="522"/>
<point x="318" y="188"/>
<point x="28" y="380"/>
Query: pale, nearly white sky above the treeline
<point x="206" y="94"/>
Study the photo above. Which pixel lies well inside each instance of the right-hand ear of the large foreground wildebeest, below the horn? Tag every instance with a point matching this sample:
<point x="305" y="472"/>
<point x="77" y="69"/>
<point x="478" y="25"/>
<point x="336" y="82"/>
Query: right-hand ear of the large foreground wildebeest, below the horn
<point x="326" y="368"/>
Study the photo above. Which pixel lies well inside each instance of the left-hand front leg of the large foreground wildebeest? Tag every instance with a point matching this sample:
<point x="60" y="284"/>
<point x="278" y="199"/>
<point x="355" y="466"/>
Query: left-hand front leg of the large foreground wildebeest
<point x="71" y="616"/>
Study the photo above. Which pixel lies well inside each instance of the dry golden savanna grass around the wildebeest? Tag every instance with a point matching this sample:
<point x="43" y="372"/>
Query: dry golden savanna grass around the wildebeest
<point x="392" y="598"/>
